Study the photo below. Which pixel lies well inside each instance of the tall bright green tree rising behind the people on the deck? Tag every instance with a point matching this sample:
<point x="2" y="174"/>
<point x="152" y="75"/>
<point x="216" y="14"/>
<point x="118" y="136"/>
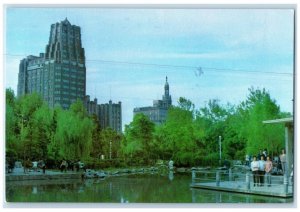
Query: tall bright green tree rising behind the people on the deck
<point x="260" y="107"/>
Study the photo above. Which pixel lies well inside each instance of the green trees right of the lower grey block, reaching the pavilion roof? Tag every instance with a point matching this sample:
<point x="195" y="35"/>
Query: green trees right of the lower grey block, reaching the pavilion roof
<point x="190" y="137"/>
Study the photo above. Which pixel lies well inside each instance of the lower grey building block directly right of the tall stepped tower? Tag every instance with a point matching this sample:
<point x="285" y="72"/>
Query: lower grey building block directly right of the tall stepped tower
<point x="109" y="114"/>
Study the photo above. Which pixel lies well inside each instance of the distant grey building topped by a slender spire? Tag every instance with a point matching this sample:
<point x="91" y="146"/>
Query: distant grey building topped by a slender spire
<point x="158" y="112"/>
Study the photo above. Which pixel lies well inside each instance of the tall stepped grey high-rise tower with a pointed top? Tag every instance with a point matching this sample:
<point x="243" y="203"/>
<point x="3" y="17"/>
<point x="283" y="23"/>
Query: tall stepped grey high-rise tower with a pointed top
<point x="59" y="75"/>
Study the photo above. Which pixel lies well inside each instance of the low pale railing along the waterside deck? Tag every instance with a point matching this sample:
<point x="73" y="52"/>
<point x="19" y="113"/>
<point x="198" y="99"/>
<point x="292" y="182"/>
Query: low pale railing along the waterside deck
<point x="219" y="178"/>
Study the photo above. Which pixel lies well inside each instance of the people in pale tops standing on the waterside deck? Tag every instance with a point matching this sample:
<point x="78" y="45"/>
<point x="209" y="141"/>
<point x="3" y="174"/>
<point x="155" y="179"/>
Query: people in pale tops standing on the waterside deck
<point x="262" y="165"/>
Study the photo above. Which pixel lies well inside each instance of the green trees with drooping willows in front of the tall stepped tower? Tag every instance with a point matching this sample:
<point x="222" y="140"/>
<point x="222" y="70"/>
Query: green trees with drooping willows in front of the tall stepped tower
<point x="36" y="132"/>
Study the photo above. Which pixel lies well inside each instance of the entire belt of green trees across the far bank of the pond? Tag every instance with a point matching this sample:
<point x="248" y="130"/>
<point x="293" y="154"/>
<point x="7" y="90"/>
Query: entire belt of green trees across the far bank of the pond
<point x="189" y="136"/>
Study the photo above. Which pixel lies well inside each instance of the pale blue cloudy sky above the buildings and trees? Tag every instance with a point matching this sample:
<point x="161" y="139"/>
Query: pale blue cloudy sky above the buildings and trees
<point x="129" y="52"/>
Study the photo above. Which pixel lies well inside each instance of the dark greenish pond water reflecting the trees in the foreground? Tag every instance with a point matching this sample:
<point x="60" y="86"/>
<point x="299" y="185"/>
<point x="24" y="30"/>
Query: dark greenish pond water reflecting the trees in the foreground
<point x="138" y="188"/>
